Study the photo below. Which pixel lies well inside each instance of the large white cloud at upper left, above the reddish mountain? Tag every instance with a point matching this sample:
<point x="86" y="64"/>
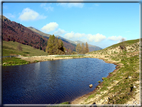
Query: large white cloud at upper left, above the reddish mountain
<point x="29" y="14"/>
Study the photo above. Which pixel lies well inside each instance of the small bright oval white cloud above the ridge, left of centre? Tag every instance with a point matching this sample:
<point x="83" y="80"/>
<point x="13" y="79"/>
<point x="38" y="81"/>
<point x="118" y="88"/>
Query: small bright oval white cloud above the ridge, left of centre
<point x="49" y="27"/>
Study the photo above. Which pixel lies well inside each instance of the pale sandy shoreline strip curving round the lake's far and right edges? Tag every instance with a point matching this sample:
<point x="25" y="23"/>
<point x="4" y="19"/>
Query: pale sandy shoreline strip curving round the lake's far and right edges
<point x="35" y="59"/>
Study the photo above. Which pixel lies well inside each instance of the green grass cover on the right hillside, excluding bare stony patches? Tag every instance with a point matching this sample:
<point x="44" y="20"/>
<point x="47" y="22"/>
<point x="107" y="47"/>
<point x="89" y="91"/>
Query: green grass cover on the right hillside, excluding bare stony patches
<point x="126" y="76"/>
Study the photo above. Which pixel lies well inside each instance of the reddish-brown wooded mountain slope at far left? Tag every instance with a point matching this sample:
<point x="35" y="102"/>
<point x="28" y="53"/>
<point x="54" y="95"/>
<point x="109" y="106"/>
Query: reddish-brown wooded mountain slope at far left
<point x="12" y="31"/>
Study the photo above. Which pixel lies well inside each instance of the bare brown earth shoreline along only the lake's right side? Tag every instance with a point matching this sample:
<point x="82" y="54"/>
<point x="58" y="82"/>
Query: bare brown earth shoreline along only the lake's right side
<point x="83" y="97"/>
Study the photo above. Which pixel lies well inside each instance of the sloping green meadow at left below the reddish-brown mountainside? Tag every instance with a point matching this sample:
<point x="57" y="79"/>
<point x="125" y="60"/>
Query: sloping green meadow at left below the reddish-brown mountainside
<point x="11" y="48"/>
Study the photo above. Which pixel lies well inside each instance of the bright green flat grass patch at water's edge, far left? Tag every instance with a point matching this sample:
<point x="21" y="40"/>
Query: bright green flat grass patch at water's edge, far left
<point x="13" y="61"/>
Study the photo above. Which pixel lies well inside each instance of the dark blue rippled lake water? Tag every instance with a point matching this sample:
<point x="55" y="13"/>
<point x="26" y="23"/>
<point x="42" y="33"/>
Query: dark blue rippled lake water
<point x="52" y="82"/>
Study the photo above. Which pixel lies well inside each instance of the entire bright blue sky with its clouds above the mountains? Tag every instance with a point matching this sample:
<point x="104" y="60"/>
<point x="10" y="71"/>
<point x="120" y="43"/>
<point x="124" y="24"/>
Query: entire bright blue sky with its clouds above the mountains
<point x="100" y="24"/>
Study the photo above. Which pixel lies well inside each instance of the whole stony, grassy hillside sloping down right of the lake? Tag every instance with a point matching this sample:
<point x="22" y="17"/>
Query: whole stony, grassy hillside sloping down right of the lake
<point x="122" y="86"/>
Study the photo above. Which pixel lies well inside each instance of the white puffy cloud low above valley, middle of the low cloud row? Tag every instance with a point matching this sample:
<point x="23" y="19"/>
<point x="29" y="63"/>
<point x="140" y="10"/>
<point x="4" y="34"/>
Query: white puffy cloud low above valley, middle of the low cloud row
<point x="97" y="38"/>
